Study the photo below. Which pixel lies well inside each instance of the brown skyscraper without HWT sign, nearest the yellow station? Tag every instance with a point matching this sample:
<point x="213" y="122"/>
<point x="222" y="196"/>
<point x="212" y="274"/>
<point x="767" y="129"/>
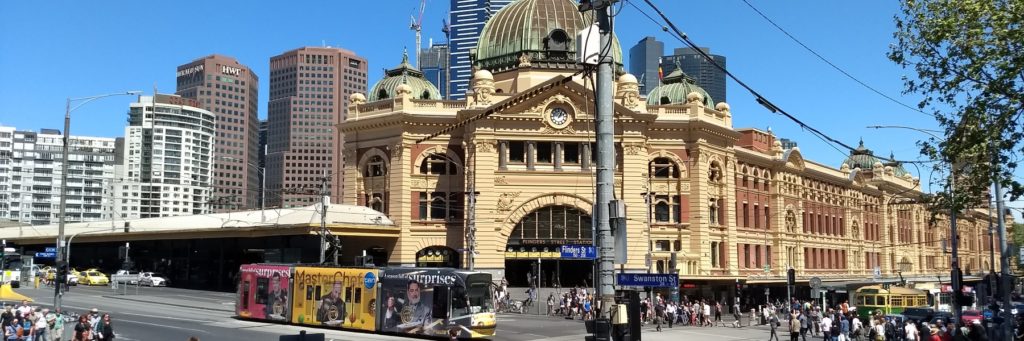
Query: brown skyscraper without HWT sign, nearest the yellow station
<point x="310" y="90"/>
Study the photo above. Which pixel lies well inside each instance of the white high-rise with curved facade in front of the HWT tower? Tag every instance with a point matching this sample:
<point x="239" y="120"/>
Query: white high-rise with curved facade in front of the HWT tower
<point x="168" y="163"/>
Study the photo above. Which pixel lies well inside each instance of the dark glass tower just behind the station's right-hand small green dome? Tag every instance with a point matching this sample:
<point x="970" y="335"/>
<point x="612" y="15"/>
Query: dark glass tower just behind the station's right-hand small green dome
<point x="702" y="71"/>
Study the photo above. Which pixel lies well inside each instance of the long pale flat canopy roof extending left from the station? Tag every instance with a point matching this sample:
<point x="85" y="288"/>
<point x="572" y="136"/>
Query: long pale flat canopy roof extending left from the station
<point x="357" y="220"/>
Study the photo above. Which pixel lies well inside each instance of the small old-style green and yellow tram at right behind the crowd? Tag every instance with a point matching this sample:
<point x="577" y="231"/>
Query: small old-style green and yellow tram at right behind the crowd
<point x="889" y="302"/>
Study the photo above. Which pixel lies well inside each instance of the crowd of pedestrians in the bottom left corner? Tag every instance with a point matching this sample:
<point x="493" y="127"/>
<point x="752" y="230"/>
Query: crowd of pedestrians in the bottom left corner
<point x="26" y="323"/>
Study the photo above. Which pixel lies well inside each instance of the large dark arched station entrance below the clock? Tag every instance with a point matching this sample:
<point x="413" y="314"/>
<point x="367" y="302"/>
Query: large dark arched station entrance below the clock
<point x="534" y="251"/>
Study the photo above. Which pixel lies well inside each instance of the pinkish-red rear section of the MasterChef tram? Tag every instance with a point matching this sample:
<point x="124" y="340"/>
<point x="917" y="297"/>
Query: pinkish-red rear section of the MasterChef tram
<point x="264" y="291"/>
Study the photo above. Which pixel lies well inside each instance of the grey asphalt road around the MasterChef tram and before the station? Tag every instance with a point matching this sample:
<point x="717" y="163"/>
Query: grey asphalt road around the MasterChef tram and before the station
<point x="169" y="314"/>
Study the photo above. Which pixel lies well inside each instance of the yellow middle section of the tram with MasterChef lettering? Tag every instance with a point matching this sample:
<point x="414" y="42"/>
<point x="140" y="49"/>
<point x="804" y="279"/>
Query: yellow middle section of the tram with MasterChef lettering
<point x="335" y="297"/>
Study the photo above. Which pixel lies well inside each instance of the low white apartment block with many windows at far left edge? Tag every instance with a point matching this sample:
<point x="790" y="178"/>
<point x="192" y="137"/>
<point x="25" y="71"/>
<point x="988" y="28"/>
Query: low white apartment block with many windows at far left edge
<point x="31" y="180"/>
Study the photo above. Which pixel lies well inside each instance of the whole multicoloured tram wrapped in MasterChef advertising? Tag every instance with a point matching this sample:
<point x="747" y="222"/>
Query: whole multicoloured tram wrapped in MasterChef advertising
<point x="438" y="303"/>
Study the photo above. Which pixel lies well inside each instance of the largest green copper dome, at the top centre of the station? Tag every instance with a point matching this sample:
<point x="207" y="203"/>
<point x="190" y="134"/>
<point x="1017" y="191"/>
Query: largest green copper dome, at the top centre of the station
<point x="544" y="30"/>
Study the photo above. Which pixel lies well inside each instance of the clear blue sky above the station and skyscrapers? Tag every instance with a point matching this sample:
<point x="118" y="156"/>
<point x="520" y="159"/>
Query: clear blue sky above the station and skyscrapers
<point x="51" y="51"/>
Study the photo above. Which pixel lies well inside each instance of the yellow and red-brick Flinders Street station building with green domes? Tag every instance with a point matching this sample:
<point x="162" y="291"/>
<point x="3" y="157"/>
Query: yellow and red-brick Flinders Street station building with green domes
<point x="731" y="203"/>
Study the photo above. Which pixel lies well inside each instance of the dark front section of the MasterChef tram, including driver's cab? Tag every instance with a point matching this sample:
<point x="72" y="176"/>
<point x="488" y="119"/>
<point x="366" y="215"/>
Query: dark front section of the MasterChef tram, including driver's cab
<point x="437" y="303"/>
